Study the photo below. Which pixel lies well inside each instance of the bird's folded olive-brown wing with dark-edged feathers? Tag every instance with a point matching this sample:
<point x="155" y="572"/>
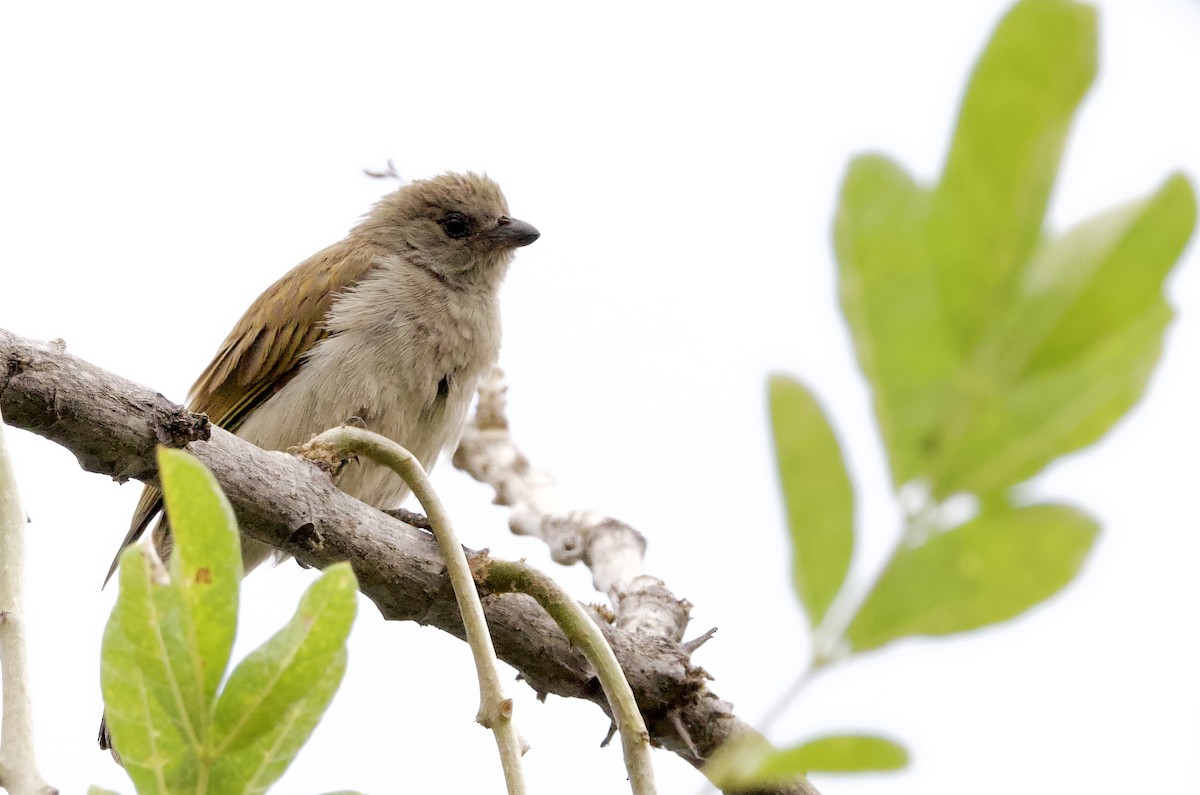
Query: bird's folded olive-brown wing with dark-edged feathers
<point x="266" y="350"/>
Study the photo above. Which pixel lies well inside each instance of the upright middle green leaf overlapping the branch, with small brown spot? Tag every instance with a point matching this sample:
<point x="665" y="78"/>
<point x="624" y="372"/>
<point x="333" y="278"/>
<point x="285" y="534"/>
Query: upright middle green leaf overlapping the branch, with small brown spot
<point x="206" y="561"/>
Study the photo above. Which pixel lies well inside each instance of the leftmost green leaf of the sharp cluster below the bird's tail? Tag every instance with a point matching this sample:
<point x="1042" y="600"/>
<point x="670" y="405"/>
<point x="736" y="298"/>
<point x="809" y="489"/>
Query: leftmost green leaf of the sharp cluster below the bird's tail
<point x="146" y="707"/>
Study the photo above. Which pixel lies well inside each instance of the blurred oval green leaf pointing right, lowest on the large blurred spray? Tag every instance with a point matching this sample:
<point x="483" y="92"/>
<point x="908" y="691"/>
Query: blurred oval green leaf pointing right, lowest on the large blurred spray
<point x="989" y="570"/>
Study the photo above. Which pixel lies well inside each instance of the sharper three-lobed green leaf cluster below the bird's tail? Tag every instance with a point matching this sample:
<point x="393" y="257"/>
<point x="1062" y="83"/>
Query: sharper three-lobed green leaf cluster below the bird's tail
<point x="167" y="648"/>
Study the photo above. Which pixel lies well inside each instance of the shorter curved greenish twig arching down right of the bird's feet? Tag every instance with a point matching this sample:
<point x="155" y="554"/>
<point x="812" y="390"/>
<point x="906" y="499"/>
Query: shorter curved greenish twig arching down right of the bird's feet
<point x="586" y="636"/>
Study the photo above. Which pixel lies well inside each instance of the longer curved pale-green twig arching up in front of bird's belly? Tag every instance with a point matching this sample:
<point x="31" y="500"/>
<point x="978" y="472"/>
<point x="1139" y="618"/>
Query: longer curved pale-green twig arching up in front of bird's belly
<point x="495" y="709"/>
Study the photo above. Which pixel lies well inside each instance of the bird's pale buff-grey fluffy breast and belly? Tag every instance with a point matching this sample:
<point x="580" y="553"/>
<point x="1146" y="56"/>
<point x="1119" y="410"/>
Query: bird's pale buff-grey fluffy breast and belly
<point x="409" y="369"/>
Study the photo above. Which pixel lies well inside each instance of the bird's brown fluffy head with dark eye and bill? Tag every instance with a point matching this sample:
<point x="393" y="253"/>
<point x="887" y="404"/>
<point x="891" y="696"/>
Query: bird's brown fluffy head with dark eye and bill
<point x="458" y="226"/>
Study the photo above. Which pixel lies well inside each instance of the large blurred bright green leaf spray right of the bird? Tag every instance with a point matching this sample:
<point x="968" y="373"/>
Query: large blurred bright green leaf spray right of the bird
<point x="992" y="349"/>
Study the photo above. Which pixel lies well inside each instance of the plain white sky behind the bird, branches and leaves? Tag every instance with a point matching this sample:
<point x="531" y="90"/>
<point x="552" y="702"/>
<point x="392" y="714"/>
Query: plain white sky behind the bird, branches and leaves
<point x="161" y="166"/>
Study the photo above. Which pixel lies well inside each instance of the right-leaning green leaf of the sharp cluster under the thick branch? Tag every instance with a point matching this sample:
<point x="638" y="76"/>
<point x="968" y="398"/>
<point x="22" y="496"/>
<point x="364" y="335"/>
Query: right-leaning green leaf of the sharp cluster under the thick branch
<point x="278" y="695"/>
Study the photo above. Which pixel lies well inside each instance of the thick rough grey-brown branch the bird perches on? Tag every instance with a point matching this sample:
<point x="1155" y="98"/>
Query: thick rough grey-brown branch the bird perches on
<point x="112" y="426"/>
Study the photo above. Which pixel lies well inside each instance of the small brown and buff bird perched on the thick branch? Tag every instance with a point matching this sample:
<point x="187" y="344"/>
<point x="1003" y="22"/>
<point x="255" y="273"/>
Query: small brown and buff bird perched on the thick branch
<point x="397" y="326"/>
